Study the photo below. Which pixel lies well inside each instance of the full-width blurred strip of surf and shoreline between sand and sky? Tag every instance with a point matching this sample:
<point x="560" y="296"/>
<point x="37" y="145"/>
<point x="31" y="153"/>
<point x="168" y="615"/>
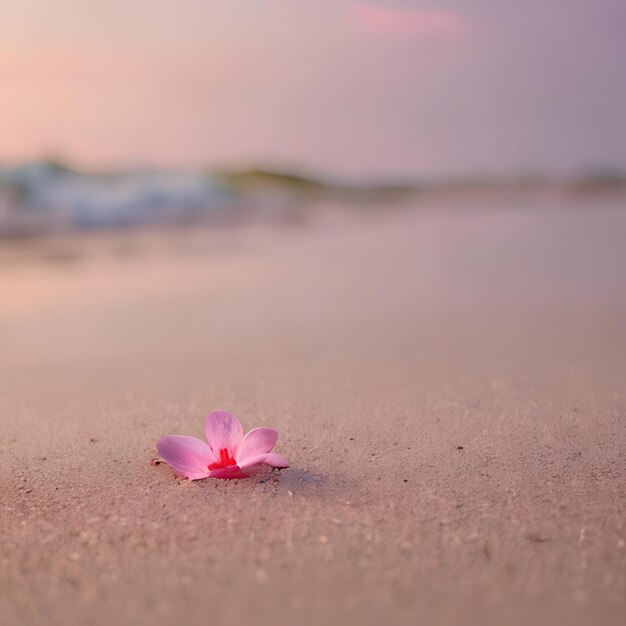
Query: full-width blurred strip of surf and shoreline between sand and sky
<point x="47" y="197"/>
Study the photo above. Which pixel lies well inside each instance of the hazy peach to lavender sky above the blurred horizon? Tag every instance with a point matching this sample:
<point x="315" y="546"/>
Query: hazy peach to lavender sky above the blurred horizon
<point x="350" y="87"/>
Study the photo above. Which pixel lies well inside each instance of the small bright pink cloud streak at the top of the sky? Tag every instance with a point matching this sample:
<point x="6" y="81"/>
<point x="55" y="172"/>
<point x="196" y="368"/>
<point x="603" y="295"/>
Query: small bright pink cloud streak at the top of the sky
<point x="409" y="21"/>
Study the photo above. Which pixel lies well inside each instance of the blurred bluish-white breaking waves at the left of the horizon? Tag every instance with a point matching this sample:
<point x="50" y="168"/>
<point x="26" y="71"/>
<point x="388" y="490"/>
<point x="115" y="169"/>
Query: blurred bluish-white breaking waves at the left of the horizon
<point x="45" y="197"/>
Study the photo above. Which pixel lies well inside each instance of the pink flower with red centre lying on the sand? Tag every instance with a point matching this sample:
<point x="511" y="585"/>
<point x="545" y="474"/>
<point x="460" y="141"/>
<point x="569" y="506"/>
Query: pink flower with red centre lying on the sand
<point x="227" y="455"/>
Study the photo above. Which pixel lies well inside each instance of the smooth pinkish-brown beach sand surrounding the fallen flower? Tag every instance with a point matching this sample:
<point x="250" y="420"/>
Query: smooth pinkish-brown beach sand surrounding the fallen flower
<point x="449" y="384"/>
